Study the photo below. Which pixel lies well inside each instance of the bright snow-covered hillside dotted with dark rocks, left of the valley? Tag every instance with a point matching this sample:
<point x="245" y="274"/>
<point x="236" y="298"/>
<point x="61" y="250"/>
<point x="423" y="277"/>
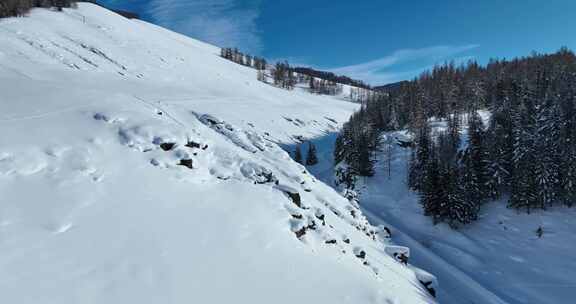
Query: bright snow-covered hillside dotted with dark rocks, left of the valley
<point x="136" y="166"/>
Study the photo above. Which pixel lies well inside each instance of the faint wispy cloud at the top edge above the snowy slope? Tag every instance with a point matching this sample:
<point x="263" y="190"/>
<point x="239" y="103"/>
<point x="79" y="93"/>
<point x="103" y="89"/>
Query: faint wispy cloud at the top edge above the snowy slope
<point x="226" y="23"/>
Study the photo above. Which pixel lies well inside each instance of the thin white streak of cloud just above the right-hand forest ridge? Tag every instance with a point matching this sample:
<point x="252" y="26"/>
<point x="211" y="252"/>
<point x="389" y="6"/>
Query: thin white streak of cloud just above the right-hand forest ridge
<point x="384" y="70"/>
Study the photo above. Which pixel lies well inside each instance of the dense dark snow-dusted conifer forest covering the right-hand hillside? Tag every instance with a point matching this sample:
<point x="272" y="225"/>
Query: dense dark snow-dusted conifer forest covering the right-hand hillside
<point x="526" y="152"/>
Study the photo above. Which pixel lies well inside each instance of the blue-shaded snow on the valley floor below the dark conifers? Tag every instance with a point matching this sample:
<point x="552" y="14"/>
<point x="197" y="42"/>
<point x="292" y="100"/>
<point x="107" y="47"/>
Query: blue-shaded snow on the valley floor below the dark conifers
<point x="498" y="259"/>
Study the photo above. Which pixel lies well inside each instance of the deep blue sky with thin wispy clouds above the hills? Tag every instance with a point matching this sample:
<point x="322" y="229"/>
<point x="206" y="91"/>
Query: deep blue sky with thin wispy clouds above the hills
<point x="379" y="41"/>
